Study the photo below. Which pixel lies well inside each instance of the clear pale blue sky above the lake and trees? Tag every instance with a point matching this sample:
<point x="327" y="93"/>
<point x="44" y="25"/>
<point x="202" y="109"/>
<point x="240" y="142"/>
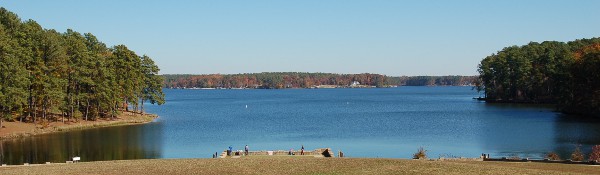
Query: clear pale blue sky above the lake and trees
<point x="419" y="37"/>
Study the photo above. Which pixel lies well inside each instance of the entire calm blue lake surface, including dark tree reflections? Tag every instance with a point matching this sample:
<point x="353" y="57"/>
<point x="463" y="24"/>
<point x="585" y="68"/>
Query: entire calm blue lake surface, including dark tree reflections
<point x="390" y="122"/>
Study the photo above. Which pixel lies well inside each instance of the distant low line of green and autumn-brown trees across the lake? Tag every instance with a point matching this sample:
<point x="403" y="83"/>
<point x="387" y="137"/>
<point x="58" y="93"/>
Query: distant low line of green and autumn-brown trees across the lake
<point x="279" y="80"/>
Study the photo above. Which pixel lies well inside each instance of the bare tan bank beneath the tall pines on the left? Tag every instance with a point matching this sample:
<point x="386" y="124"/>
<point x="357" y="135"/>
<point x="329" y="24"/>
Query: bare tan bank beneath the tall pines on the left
<point x="13" y="130"/>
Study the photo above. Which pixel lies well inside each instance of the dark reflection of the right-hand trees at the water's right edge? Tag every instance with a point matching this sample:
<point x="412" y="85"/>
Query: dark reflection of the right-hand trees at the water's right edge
<point x="571" y="131"/>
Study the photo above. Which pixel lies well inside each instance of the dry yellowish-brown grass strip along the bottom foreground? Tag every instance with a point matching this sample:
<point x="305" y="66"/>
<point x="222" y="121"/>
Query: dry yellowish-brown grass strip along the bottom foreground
<point x="299" y="165"/>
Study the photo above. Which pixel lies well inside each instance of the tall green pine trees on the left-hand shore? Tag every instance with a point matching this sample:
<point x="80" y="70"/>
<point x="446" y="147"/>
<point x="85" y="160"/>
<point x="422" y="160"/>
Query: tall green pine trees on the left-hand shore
<point x="45" y="74"/>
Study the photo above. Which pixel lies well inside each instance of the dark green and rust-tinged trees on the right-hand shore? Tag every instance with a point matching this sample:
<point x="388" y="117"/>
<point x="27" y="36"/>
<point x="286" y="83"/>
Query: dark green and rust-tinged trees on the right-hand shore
<point x="566" y="74"/>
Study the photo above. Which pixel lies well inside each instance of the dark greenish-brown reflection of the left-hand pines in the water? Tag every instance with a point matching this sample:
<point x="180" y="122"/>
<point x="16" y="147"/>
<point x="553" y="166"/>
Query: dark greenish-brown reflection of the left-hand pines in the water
<point x="111" y="143"/>
